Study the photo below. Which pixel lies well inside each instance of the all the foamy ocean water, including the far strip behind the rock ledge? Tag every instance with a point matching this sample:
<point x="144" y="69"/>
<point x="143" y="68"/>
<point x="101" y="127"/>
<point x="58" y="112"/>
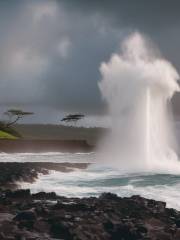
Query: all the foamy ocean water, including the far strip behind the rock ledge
<point x="99" y="178"/>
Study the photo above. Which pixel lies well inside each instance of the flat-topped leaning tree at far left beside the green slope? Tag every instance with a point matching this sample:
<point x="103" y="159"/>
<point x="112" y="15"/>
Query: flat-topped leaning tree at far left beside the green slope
<point x="15" y="115"/>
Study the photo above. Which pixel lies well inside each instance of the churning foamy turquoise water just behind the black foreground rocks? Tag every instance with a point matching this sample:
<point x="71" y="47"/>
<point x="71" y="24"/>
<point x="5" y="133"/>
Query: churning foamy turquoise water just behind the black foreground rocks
<point x="91" y="182"/>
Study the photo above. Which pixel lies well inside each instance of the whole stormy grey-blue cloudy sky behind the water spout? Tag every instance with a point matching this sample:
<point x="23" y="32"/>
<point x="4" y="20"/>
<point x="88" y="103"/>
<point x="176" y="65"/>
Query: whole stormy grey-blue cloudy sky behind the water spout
<point x="51" y="50"/>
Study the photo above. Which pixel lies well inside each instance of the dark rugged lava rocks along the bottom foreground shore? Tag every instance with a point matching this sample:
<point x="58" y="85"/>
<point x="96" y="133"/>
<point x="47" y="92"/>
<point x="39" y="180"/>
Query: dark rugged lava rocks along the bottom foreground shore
<point x="45" y="216"/>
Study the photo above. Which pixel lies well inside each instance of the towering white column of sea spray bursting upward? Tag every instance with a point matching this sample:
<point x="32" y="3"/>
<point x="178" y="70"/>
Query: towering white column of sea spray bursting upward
<point x="138" y="85"/>
